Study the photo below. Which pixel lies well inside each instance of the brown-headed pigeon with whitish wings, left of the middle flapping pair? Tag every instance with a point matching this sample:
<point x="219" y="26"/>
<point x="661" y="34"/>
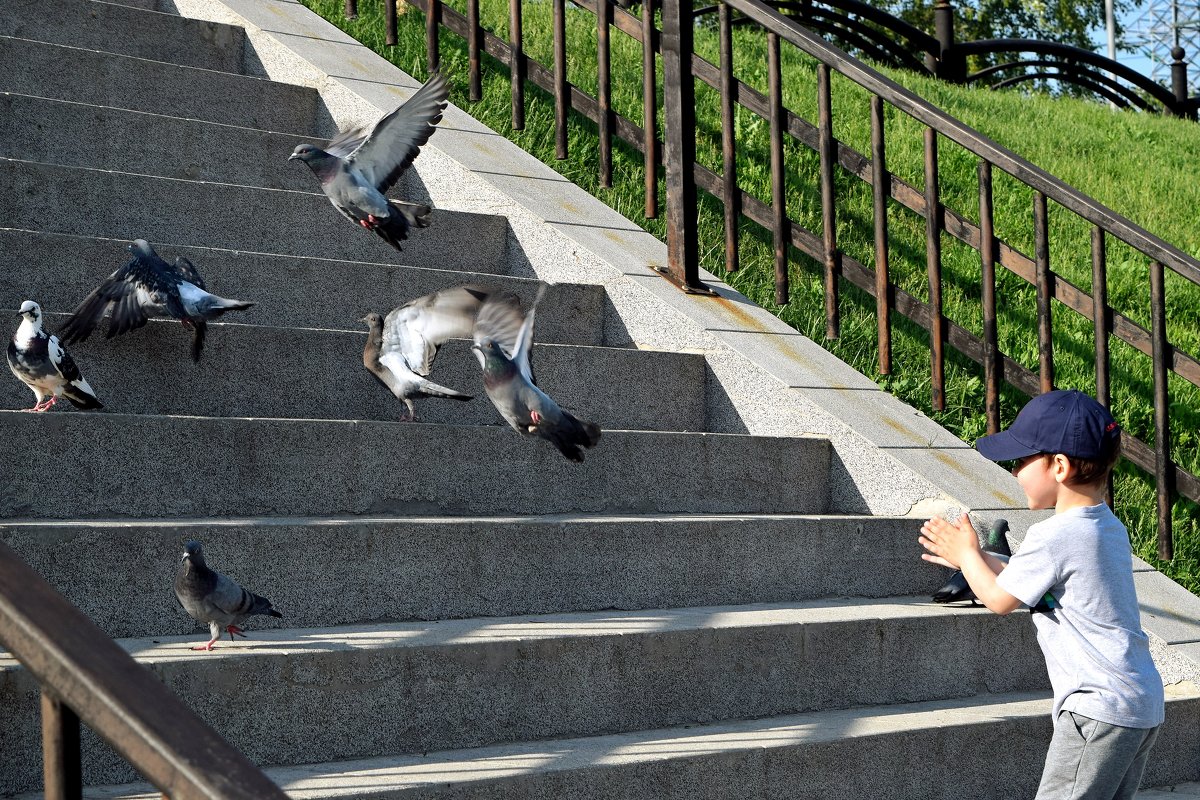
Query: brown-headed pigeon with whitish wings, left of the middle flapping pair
<point x="401" y="348"/>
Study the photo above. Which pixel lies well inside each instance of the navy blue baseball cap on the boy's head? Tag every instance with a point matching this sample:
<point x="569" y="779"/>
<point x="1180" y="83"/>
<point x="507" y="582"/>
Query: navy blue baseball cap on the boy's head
<point x="1065" y="422"/>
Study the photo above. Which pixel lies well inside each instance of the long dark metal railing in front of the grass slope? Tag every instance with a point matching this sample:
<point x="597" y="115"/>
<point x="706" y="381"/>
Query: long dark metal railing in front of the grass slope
<point x="685" y="178"/>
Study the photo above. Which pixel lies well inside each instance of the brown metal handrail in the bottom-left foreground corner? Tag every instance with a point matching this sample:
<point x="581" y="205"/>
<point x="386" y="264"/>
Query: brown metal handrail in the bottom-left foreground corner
<point x="86" y="677"/>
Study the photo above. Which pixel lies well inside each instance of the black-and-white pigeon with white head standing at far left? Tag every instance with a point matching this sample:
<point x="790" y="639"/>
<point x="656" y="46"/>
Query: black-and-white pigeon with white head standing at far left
<point x="40" y="363"/>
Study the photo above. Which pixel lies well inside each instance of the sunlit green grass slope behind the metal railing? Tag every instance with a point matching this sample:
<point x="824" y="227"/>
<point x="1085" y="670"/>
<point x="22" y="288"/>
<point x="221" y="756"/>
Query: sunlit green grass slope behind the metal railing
<point x="1137" y="165"/>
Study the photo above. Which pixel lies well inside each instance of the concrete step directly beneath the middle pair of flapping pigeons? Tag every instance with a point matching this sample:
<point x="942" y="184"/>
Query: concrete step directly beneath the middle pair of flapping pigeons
<point x="110" y="465"/>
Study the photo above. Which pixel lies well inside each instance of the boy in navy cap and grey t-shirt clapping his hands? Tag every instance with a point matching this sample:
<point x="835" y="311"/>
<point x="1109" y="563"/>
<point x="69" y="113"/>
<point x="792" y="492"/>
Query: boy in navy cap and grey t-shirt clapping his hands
<point x="1076" y="574"/>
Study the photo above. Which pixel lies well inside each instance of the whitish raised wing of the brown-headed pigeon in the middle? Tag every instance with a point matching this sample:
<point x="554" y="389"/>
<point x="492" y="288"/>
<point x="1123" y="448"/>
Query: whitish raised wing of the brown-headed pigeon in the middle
<point x="417" y="330"/>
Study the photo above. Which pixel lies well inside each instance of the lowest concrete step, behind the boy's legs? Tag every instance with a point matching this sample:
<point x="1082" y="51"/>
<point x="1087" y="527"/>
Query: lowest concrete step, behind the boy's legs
<point x="899" y="753"/>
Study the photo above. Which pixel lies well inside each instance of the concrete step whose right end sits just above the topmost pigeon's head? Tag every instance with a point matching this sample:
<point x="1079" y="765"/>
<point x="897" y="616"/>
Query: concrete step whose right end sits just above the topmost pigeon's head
<point x="147" y="86"/>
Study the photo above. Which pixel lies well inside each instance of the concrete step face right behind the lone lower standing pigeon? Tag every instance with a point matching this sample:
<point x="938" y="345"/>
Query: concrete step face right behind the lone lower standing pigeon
<point x="448" y="568"/>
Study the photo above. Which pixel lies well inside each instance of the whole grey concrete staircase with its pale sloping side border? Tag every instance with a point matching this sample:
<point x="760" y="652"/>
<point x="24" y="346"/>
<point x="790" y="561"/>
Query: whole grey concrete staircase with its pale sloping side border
<point x="711" y="606"/>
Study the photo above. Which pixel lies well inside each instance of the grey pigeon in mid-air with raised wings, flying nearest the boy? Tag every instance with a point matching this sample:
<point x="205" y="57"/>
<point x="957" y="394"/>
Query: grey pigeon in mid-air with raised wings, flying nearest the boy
<point x="503" y="339"/>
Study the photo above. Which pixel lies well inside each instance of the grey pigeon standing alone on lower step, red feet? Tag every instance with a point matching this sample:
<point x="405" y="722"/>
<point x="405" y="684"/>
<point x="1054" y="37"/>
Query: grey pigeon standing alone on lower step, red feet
<point x="209" y="597"/>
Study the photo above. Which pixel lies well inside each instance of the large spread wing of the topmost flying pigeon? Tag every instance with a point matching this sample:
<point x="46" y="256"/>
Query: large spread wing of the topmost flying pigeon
<point x="397" y="140"/>
